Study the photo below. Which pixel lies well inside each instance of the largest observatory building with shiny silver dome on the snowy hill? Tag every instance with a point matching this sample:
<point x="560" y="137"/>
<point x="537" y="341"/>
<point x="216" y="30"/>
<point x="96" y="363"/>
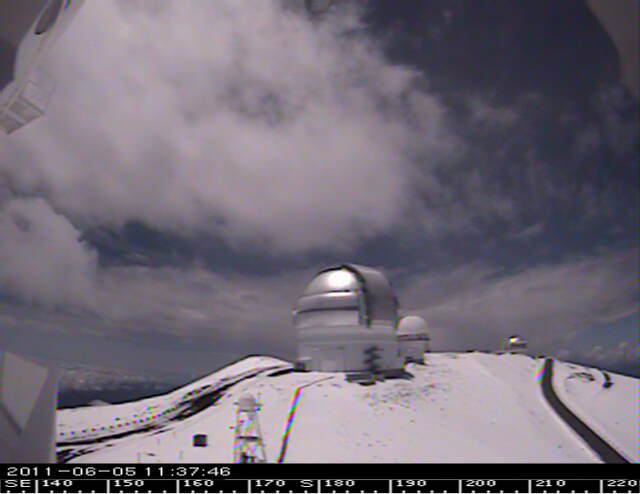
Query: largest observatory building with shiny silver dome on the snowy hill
<point x="346" y="322"/>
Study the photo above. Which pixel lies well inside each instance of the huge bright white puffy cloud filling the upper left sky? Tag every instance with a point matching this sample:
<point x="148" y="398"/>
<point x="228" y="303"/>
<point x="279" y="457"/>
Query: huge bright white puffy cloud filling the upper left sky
<point x="241" y="118"/>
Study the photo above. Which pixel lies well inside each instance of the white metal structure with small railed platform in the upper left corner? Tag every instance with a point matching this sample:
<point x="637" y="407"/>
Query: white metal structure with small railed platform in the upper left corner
<point x="28" y="29"/>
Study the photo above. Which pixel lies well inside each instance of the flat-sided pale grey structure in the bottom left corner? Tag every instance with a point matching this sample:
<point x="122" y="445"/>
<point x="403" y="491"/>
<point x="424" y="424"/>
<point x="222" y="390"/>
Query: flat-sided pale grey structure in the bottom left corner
<point x="28" y="398"/>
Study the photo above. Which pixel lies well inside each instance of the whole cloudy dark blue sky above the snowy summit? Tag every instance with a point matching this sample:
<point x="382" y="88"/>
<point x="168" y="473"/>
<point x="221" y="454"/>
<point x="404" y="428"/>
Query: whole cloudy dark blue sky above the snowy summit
<point x="200" y="161"/>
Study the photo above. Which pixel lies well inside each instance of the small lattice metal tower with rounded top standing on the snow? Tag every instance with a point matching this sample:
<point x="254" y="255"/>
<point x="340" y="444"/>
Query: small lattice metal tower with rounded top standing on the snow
<point x="248" y="446"/>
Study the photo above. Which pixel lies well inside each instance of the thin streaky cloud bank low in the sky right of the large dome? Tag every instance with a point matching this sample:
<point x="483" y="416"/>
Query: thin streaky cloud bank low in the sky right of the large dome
<point x="476" y="306"/>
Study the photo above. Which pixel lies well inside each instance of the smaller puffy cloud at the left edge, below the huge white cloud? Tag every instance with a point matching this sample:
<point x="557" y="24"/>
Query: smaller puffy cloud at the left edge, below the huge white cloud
<point x="42" y="258"/>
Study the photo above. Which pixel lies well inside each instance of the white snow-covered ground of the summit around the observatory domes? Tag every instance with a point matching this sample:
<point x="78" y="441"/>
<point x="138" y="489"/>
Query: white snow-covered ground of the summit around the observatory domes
<point x="471" y="407"/>
